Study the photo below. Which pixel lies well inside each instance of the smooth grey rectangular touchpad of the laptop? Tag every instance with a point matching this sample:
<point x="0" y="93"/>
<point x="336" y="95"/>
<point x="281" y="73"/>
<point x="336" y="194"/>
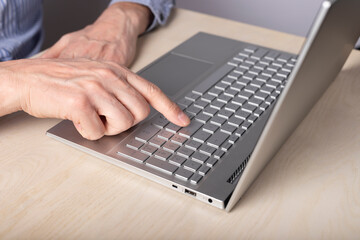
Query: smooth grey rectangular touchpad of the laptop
<point x="173" y="72"/>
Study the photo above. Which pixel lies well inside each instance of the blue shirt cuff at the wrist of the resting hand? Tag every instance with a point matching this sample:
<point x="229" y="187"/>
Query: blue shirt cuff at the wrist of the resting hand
<point x="160" y="8"/>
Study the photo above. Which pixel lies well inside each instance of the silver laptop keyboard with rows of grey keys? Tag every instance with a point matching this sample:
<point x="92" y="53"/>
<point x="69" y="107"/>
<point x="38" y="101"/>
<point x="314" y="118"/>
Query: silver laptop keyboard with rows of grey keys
<point x="222" y="109"/>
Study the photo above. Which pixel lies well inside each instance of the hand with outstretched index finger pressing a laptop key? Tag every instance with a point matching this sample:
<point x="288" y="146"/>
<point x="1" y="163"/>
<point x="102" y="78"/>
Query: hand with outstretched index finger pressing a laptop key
<point x="101" y="98"/>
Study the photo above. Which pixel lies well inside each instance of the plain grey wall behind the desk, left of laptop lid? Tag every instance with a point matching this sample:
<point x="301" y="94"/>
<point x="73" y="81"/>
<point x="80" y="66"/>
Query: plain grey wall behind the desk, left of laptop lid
<point x="292" y="16"/>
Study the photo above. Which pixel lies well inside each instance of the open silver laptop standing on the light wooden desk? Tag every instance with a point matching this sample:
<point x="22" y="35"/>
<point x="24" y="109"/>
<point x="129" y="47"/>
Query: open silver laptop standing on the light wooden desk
<point x="244" y="101"/>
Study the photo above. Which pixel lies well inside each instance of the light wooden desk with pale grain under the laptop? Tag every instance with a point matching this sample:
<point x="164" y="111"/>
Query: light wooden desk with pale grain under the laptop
<point x="310" y="190"/>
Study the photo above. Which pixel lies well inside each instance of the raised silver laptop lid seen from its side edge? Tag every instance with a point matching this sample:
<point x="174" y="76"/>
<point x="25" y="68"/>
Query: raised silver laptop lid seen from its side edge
<point x="329" y="43"/>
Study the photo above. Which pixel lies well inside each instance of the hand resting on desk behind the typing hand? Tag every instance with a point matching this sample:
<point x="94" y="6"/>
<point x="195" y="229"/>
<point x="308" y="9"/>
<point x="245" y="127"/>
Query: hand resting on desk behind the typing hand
<point x="112" y="37"/>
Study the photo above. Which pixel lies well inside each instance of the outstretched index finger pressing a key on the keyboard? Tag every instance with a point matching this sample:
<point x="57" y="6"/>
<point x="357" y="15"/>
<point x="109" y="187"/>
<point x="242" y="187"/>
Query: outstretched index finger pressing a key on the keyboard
<point x="158" y="100"/>
